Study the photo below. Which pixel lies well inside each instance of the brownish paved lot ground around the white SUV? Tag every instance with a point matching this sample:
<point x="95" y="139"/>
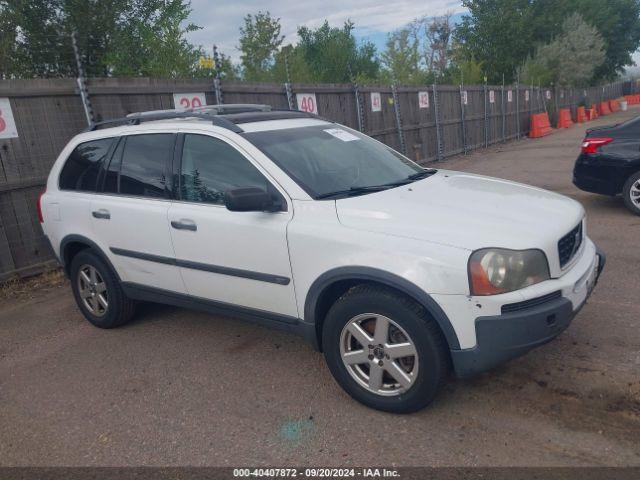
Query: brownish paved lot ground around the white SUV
<point x="181" y="388"/>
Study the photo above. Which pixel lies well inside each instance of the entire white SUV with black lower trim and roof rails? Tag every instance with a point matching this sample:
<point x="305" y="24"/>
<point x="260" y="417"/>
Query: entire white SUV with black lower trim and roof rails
<point x="396" y="272"/>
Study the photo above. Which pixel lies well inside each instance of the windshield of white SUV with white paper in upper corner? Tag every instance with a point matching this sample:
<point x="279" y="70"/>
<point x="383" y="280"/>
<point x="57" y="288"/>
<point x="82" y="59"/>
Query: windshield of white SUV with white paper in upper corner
<point x="327" y="159"/>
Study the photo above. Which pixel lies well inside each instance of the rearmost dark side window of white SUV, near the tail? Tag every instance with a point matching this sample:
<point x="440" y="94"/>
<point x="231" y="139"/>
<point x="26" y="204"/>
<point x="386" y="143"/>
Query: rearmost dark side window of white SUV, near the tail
<point x="80" y="172"/>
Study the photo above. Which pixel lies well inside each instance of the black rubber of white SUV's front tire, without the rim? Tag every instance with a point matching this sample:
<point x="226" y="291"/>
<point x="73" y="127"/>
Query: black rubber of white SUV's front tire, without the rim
<point x="429" y="342"/>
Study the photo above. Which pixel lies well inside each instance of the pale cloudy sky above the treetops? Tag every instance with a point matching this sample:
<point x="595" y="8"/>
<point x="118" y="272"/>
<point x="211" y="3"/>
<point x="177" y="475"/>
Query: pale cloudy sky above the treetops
<point x="373" y="19"/>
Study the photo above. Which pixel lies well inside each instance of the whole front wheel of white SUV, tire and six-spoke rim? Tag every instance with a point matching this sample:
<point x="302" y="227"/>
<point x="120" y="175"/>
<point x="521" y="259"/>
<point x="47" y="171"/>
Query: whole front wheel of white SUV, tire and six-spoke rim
<point x="384" y="349"/>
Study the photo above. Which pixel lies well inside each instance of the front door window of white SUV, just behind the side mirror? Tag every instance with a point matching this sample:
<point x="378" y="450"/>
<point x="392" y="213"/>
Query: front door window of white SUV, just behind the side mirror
<point x="210" y="167"/>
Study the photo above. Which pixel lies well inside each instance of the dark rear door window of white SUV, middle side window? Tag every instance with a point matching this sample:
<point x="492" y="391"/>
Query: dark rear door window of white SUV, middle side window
<point x="142" y="172"/>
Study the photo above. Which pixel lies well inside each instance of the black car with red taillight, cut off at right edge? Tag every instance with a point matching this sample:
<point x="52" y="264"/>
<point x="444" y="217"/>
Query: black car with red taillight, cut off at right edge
<point x="609" y="162"/>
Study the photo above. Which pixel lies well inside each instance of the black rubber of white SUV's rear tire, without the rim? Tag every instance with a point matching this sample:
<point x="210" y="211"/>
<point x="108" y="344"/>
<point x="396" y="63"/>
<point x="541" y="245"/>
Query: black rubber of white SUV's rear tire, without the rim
<point x="120" y="308"/>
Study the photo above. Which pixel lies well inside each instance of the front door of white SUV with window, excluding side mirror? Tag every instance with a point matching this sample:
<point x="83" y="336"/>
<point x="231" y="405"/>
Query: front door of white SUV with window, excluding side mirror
<point x="238" y="258"/>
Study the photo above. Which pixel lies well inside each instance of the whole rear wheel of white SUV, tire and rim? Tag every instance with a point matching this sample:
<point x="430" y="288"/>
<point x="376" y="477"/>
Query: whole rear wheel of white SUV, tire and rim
<point x="98" y="292"/>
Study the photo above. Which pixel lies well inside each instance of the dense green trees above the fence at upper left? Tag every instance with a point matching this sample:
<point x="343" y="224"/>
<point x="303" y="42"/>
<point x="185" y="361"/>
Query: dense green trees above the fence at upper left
<point x="115" y="37"/>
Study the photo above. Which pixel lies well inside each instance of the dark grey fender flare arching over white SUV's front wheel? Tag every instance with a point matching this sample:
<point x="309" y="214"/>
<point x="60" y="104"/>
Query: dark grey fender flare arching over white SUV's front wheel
<point x="383" y="277"/>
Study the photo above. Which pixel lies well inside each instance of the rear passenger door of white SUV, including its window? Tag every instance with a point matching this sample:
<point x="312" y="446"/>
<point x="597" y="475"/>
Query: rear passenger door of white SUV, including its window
<point x="130" y="211"/>
